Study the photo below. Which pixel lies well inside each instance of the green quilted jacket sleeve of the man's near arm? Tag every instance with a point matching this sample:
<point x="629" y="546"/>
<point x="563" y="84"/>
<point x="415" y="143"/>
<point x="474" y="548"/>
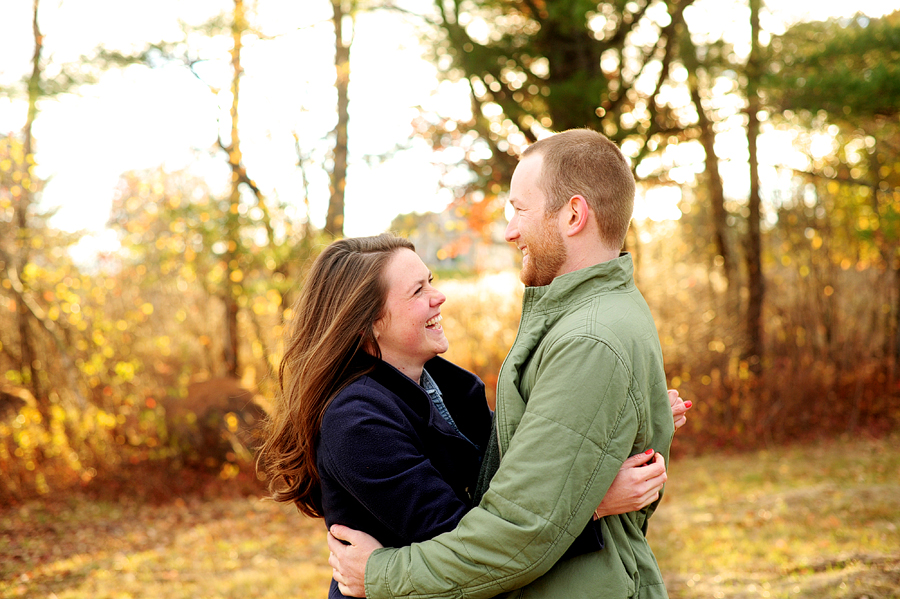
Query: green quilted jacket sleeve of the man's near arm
<point x="578" y="427"/>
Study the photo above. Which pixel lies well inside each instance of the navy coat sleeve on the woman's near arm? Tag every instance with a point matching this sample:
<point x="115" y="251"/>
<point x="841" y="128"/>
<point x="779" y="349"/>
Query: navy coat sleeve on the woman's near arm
<point x="368" y="445"/>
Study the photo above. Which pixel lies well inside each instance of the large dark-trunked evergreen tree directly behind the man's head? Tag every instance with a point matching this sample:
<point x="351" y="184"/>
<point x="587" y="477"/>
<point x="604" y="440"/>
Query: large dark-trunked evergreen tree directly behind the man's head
<point x="533" y="66"/>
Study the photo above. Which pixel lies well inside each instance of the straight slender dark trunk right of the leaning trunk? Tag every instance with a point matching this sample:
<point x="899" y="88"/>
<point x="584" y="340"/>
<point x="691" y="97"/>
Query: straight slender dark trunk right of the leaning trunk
<point x="754" y="244"/>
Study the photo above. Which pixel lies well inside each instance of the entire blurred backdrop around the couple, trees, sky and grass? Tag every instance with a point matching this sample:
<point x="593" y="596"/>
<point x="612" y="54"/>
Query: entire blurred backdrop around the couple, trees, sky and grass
<point x="169" y="170"/>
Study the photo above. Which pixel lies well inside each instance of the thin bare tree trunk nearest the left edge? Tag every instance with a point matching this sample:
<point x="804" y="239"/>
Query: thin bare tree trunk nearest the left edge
<point x="28" y="359"/>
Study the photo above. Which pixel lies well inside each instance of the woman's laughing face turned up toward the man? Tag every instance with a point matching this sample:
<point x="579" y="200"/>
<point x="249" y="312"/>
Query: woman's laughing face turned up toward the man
<point x="410" y="333"/>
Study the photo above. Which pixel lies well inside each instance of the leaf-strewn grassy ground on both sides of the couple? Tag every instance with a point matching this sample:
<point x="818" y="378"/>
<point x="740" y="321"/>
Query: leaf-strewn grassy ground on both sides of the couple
<point x="813" y="521"/>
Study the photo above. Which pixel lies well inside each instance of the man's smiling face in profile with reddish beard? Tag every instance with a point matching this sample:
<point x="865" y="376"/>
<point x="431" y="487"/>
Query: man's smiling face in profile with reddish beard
<point x="534" y="232"/>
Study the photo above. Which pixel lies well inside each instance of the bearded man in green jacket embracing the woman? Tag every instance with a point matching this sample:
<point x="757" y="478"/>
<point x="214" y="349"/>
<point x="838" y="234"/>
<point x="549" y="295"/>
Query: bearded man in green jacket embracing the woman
<point x="581" y="389"/>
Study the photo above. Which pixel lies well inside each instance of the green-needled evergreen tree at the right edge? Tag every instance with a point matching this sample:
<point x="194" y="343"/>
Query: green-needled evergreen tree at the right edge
<point x="846" y="70"/>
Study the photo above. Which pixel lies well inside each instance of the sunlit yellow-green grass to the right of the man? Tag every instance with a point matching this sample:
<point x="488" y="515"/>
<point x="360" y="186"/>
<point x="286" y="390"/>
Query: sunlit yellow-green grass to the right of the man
<point x="814" y="522"/>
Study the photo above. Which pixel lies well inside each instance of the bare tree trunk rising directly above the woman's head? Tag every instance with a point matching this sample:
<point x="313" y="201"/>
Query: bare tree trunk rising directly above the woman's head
<point x="334" y="221"/>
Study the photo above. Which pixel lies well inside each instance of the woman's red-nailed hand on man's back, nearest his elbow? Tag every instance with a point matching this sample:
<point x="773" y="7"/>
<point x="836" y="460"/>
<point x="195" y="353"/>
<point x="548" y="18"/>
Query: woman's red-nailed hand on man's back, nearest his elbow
<point x="637" y="485"/>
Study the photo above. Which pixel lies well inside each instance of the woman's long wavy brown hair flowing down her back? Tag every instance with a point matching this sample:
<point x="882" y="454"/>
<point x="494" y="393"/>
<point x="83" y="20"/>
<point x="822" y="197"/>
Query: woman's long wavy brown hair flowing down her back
<point x="343" y="297"/>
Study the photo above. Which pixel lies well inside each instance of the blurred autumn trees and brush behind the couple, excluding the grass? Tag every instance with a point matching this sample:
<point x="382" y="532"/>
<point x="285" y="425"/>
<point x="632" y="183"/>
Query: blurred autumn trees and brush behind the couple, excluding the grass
<point x="766" y="147"/>
